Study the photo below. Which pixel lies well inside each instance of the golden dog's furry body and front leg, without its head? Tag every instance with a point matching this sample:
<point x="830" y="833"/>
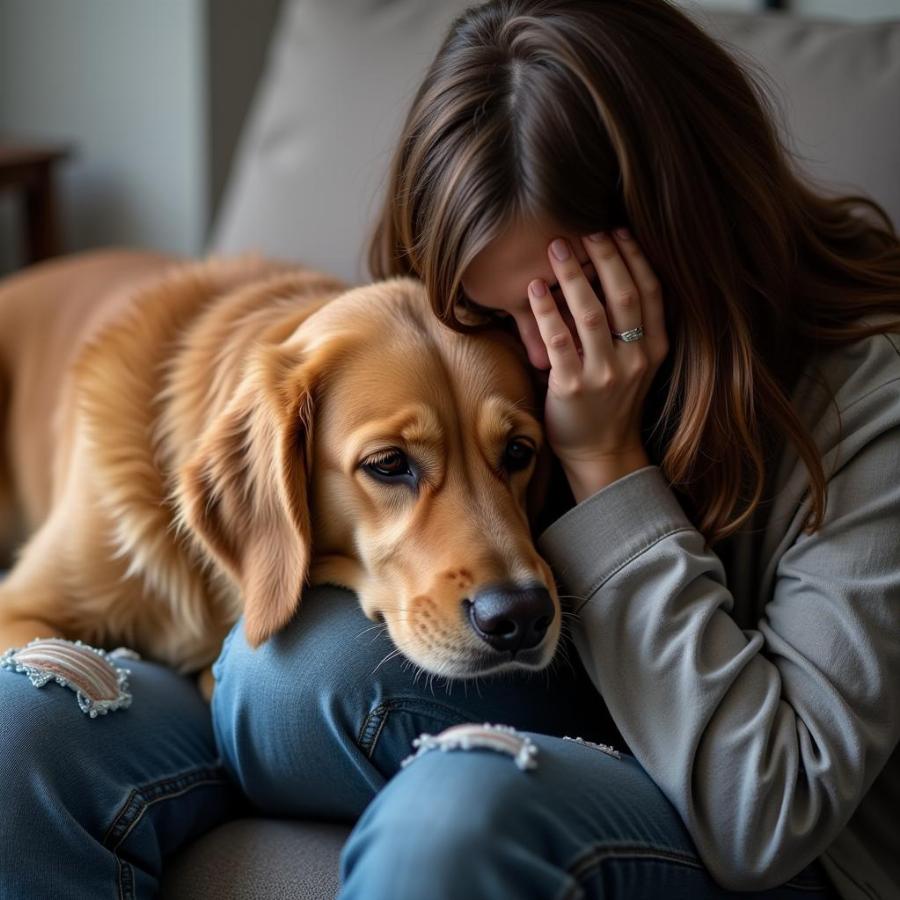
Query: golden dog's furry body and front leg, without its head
<point x="88" y="345"/>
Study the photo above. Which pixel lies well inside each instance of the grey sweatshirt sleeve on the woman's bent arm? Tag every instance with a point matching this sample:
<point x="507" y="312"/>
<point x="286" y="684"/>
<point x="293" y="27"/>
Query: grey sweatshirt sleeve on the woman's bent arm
<point x="764" y="739"/>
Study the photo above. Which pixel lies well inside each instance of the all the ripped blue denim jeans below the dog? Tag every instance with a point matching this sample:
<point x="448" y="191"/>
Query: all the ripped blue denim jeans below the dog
<point x="311" y="725"/>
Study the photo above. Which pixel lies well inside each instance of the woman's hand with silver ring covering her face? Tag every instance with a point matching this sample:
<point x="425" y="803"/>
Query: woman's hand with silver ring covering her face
<point x="598" y="383"/>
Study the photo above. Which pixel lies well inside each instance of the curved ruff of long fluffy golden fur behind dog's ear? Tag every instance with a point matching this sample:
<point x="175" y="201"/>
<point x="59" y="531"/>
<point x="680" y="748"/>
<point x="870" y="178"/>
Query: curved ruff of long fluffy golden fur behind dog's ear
<point x="173" y="330"/>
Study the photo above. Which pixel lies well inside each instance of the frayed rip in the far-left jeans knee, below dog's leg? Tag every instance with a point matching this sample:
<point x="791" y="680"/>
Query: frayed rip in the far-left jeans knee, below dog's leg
<point x="99" y="682"/>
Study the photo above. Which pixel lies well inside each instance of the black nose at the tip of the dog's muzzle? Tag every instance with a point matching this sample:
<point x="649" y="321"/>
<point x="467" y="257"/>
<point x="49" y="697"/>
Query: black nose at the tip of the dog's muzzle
<point x="511" y="618"/>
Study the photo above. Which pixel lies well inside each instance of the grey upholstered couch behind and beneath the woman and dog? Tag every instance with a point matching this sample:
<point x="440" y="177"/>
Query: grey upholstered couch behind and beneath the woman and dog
<point x="310" y="169"/>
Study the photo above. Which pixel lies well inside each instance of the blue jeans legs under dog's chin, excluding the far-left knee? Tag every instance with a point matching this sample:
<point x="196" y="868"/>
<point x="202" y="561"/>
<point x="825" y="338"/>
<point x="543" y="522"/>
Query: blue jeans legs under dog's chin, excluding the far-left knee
<point x="317" y="723"/>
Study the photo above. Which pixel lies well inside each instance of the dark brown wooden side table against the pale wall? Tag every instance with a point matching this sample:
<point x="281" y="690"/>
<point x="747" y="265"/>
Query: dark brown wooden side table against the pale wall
<point x="29" y="169"/>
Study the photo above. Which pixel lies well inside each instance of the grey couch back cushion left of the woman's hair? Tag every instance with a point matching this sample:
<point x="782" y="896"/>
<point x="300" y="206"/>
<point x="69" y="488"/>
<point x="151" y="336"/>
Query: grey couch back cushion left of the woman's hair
<point x="332" y="99"/>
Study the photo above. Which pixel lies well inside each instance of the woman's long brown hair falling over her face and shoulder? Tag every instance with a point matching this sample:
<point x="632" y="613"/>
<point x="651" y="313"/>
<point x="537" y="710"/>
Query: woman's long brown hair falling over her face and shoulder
<point x="593" y="113"/>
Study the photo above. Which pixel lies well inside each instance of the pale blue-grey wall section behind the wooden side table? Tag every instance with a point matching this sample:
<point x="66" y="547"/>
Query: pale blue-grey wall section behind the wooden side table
<point x="124" y="81"/>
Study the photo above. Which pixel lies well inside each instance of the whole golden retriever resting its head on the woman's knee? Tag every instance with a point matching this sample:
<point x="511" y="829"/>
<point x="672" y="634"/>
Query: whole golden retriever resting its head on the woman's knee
<point x="187" y="441"/>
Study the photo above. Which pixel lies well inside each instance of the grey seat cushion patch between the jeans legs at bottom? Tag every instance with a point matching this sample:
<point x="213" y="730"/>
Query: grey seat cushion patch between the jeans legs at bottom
<point x="258" y="859"/>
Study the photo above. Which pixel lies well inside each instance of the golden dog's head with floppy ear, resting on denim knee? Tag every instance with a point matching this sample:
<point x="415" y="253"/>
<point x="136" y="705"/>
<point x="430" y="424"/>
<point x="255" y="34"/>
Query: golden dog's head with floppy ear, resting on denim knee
<point x="377" y="449"/>
